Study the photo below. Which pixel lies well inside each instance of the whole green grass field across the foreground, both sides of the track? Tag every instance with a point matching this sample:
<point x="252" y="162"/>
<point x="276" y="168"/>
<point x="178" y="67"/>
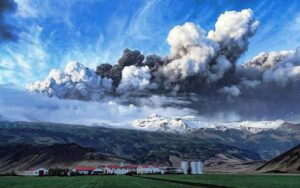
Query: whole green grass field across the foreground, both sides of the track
<point x="230" y="180"/>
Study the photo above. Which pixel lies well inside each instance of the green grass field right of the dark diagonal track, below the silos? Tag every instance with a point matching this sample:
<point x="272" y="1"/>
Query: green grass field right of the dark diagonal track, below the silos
<point x="236" y="180"/>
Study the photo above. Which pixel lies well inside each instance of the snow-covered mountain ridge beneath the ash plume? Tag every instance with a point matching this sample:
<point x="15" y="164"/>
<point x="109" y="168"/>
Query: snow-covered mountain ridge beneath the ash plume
<point x="190" y="123"/>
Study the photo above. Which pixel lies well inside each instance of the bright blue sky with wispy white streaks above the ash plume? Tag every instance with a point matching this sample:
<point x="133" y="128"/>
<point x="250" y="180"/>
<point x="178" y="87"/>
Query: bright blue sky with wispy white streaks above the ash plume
<point x="53" y="32"/>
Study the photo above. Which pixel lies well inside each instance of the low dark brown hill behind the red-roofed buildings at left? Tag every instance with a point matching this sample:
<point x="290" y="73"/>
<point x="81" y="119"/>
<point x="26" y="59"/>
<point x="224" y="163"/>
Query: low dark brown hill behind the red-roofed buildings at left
<point x="21" y="157"/>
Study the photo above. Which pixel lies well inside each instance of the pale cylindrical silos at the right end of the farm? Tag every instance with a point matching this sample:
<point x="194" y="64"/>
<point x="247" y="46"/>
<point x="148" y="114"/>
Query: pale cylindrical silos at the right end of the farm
<point x="192" y="167"/>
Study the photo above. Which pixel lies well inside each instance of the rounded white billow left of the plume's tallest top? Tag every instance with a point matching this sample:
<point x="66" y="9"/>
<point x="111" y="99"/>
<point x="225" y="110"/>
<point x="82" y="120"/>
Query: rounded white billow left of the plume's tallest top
<point x="191" y="51"/>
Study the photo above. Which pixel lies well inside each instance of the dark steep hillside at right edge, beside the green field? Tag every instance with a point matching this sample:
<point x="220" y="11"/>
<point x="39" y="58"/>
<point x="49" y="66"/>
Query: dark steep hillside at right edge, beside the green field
<point x="288" y="162"/>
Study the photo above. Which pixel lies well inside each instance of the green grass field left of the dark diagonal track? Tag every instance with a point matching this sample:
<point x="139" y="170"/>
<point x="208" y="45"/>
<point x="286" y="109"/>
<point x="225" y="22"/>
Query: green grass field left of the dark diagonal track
<point x="85" y="182"/>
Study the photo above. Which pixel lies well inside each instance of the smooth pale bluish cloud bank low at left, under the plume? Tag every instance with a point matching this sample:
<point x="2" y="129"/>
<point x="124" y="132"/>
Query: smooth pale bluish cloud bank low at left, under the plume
<point x="39" y="108"/>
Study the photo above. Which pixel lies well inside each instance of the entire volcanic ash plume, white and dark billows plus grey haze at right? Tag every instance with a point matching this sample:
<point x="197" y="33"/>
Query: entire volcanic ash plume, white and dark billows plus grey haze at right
<point x="200" y="73"/>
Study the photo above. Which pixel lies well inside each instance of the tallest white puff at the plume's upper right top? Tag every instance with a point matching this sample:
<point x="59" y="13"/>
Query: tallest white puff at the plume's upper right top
<point x="232" y="31"/>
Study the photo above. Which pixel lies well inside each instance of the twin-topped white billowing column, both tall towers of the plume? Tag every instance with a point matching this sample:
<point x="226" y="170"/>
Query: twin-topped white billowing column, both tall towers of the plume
<point x="194" y="53"/>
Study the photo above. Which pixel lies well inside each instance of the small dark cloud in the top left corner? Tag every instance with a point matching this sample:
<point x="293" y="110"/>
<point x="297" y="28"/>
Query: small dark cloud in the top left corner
<point x="8" y="32"/>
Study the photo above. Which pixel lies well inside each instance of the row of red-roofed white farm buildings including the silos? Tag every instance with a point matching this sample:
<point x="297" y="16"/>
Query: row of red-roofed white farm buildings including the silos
<point x="187" y="167"/>
